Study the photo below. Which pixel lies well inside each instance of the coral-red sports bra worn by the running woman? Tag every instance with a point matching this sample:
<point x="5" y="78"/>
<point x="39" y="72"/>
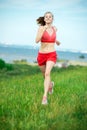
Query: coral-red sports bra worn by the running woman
<point x="46" y="37"/>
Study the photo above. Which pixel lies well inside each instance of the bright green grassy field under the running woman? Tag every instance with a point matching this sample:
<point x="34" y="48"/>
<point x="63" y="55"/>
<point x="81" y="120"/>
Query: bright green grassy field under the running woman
<point x="21" y="91"/>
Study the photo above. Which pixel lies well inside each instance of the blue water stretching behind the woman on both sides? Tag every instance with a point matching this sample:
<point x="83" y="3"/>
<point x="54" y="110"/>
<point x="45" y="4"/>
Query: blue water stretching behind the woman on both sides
<point x="11" y="53"/>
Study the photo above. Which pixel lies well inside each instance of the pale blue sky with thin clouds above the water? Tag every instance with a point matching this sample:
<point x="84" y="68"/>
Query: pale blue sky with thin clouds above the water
<point x="18" y="21"/>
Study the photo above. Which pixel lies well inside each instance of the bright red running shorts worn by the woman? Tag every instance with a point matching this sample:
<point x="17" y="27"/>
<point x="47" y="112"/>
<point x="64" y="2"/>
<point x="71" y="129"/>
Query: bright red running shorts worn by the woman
<point x="42" y="58"/>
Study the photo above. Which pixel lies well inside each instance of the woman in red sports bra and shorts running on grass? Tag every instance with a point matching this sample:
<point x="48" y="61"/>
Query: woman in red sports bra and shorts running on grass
<point x="47" y="55"/>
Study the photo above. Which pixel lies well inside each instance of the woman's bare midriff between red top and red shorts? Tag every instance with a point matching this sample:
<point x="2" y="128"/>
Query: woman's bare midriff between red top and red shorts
<point x="46" y="47"/>
